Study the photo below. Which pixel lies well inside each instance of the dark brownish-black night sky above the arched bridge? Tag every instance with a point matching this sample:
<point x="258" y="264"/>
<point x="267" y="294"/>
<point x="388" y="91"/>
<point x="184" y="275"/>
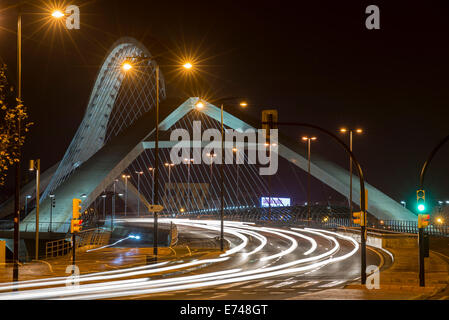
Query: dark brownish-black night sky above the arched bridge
<point x="312" y="60"/>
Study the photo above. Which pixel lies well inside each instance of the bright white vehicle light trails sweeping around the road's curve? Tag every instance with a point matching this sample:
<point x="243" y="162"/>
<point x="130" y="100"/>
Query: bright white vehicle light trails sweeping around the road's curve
<point x="143" y="286"/>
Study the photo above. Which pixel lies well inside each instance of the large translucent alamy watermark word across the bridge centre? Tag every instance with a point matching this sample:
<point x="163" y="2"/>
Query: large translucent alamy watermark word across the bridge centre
<point x="250" y="144"/>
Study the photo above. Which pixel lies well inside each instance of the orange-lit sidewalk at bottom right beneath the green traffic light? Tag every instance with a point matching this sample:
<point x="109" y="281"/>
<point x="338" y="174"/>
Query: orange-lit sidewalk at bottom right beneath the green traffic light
<point x="399" y="282"/>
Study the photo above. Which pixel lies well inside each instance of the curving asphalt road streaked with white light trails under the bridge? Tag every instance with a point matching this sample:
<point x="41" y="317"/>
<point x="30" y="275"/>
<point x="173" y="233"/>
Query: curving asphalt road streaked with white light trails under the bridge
<point x="261" y="263"/>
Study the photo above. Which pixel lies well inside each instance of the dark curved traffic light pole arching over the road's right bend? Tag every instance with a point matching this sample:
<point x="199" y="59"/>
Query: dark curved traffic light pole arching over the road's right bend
<point x="363" y="199"/>
